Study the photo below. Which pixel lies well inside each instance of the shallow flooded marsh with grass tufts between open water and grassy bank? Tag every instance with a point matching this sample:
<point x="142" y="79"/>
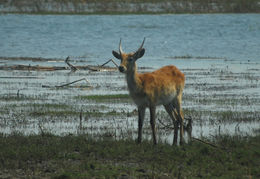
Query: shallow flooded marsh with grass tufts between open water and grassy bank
<point x="221" y="97"/>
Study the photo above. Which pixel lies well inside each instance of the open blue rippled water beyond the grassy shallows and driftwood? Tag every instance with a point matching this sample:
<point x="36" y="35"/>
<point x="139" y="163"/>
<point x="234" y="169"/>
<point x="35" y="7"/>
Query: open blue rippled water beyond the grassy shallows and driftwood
<point x="229" y="36"/>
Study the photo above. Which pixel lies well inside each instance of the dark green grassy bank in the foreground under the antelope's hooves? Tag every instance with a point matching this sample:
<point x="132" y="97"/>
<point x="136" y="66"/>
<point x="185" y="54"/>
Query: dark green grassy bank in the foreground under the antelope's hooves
<point x="84" y="157"/>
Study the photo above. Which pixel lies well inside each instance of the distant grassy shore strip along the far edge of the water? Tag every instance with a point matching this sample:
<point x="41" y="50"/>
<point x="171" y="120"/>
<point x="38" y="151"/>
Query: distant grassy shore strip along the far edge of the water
<point x="128" y="6"/>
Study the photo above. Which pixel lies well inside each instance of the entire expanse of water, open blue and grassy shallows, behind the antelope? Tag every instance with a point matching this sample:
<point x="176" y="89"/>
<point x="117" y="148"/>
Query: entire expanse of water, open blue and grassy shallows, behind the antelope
<point x="219" y="55"/>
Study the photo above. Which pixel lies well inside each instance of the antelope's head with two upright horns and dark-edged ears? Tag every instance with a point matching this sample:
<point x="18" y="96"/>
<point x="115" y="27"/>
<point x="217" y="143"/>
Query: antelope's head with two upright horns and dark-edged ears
<point x="128" y="59"/>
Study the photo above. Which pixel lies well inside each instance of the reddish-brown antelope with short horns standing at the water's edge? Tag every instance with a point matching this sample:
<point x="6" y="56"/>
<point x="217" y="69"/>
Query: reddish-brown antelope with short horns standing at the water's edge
<point x="148" y="90"/>
